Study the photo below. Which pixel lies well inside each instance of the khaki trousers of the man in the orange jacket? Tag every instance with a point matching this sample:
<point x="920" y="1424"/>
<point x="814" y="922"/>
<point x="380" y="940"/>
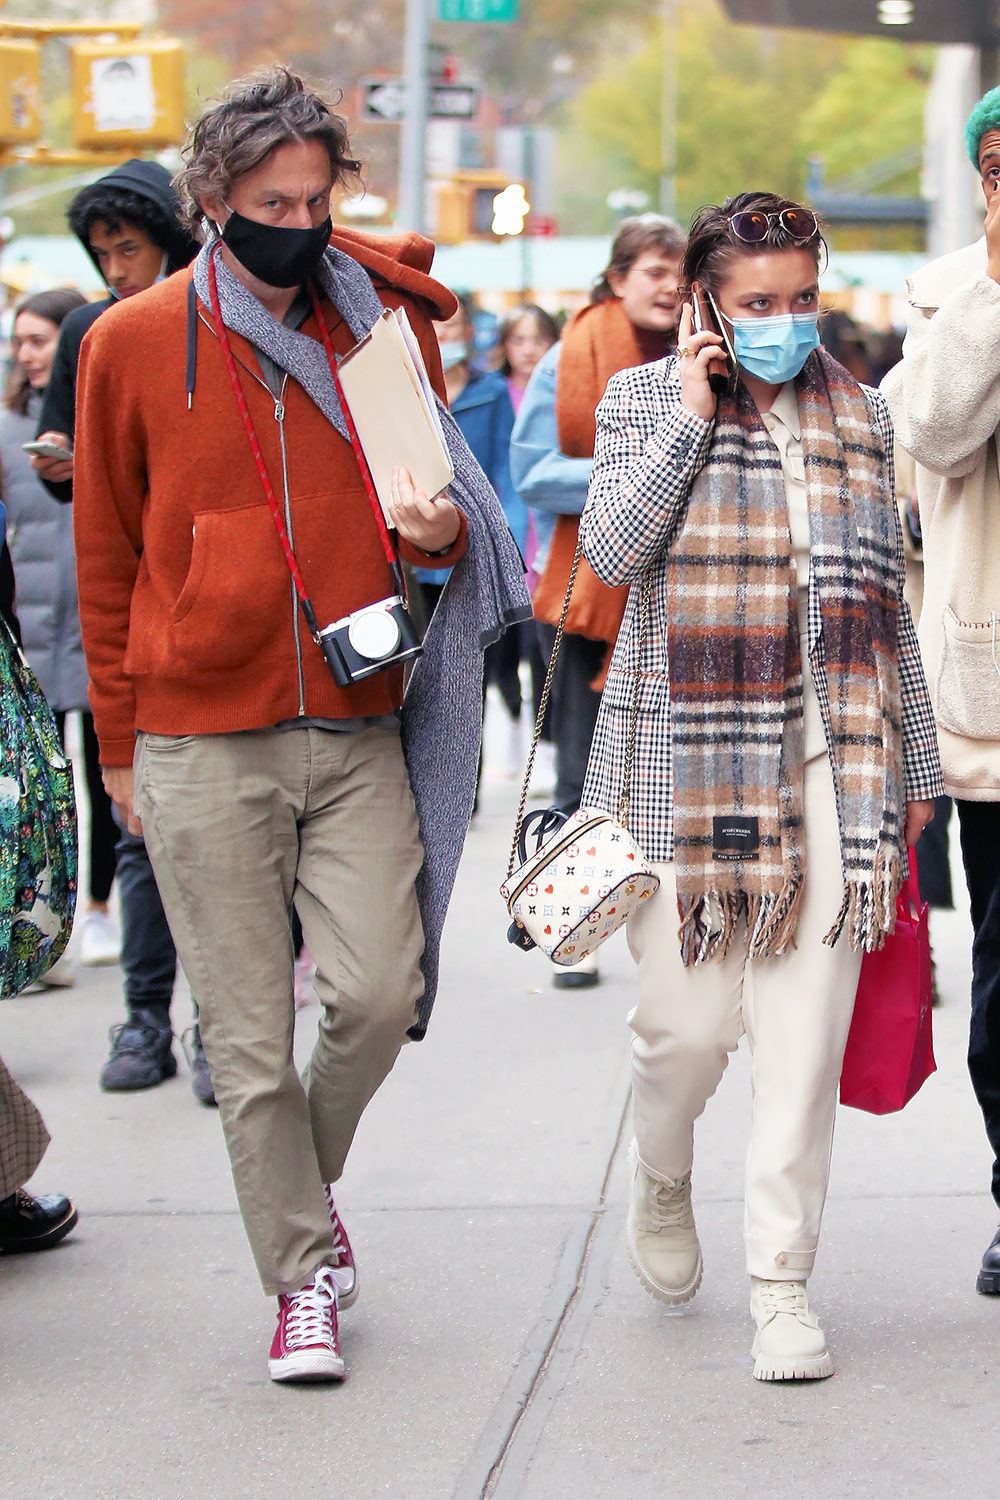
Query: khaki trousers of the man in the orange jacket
<point x="239" y="827"/>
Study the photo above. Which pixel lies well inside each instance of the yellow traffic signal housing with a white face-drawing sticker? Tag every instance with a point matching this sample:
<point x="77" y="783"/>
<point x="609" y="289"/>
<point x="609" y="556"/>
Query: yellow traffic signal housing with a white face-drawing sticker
<point x="128" y="94"/>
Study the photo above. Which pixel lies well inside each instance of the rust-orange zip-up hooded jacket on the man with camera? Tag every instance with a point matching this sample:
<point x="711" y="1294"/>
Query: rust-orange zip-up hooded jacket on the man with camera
<point x="185" y="595"/>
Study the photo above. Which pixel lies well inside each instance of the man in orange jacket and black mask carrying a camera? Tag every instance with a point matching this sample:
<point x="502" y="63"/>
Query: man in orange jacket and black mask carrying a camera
<point x="224" y="506"/>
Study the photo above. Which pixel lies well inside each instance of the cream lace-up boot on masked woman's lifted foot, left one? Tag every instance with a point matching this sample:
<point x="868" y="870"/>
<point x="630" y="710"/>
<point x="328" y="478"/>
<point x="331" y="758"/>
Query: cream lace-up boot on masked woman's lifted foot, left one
<point x="660" y="1235"/>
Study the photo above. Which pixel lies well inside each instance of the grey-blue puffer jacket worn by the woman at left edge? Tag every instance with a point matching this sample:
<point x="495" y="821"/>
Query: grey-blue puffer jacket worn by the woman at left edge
<point x="41" y="541"/>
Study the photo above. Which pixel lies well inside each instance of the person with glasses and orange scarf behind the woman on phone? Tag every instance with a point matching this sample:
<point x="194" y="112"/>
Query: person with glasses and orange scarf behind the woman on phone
<point x="632" y="320"/>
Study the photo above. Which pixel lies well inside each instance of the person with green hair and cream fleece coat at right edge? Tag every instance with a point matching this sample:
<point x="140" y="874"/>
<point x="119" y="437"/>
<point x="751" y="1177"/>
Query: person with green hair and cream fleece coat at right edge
<point x="945" y="406"/>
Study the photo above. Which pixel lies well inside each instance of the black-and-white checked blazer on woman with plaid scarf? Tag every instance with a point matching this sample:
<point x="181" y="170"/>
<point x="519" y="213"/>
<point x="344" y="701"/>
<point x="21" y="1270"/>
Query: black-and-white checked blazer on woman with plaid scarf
<point x="648" y="452"/>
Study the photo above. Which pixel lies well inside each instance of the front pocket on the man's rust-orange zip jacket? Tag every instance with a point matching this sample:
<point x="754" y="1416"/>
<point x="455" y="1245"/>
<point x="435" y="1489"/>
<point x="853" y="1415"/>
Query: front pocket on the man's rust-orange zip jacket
<point x="236" y="601"/>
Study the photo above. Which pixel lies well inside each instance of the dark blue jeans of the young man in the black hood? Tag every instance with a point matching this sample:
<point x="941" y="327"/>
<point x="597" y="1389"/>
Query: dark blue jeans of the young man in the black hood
<point x="149" y="958"/>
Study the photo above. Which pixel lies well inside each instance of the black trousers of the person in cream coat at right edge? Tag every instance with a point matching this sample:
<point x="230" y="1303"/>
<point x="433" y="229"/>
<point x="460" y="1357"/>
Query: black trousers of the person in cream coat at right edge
<point x="980" y="824"/>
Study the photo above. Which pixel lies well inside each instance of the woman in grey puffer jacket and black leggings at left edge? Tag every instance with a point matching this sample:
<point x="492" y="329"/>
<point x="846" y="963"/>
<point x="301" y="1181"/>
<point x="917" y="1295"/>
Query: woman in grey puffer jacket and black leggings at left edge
<point x="41" y="539"/>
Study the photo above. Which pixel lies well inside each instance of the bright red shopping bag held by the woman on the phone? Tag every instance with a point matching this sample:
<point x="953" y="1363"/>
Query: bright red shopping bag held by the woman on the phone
<point x="890" y="1048"/>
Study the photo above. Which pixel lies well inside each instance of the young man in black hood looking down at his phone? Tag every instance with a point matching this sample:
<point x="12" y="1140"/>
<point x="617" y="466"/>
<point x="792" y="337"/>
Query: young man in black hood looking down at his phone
<point x="128" y="226"/>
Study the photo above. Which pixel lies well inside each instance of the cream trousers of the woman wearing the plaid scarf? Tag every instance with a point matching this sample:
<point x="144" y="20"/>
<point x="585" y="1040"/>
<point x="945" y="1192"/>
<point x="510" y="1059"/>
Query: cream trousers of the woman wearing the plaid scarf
<point x="797" y="1015"/>
